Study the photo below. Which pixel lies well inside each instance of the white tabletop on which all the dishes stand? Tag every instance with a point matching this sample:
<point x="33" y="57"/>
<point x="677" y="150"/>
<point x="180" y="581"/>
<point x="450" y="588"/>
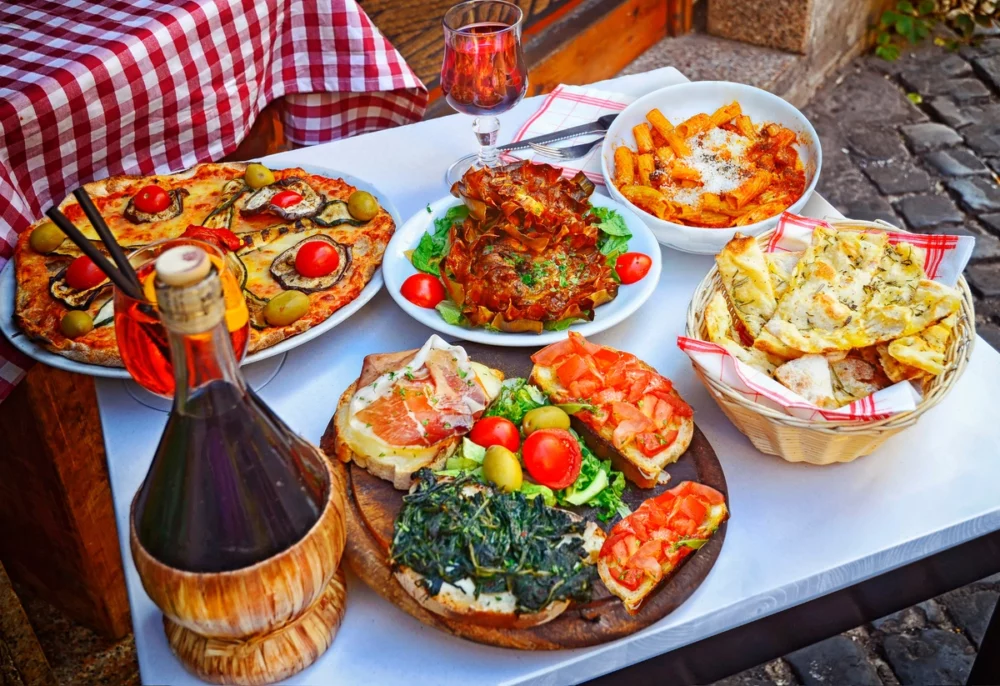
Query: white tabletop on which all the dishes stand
<point x="797" y="531"/>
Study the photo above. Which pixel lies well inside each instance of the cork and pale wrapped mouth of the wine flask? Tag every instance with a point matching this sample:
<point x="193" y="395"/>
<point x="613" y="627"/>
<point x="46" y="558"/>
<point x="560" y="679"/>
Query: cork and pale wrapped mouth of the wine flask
<point x="188" y="290"/>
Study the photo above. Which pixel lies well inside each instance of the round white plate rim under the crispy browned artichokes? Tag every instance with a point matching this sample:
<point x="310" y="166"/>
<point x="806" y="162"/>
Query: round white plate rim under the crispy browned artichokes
<point x="396" y="268"/>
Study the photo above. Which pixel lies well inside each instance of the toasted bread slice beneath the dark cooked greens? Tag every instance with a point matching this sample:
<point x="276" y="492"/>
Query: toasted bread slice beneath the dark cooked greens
<point x="497" y="610"/>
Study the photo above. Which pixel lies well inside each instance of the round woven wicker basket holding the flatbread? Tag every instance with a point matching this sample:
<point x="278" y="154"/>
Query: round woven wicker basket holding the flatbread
<point x="826" y="442"/>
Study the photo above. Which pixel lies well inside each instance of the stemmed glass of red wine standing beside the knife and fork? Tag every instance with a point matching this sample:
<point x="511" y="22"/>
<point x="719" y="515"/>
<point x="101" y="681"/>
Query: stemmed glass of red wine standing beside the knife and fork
<point x="483" y="72"/>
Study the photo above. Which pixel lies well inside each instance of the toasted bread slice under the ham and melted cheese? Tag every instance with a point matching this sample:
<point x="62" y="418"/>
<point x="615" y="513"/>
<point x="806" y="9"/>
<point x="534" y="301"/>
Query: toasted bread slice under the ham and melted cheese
<point x="395" y="463"/>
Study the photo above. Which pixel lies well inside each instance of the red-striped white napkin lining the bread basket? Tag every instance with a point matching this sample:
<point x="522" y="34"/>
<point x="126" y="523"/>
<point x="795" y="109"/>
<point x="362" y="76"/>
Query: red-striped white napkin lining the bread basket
<point x="946" y="257"/>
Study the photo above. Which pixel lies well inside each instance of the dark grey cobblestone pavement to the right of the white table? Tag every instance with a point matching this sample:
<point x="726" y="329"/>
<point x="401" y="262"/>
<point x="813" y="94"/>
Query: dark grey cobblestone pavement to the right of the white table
<point x="930" y="168"/>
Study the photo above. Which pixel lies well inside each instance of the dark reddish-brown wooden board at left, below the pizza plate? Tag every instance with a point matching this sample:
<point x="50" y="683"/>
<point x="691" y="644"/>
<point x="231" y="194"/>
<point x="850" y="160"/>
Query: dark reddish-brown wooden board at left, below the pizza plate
<point x="59" y="535"/>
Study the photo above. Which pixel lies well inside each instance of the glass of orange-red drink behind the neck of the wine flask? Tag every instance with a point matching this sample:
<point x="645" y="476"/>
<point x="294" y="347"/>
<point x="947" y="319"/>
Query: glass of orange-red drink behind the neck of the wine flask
<point x="142" y="340"/>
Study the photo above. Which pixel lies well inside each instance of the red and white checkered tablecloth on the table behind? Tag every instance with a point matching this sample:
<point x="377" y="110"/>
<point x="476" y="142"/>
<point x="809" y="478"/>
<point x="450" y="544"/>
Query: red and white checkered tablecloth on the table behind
<point x="90" y="89"/>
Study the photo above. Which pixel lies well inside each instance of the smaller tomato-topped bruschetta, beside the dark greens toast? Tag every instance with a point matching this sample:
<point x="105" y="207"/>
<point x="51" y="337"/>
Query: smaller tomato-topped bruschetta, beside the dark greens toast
<point x="644" y="548"/>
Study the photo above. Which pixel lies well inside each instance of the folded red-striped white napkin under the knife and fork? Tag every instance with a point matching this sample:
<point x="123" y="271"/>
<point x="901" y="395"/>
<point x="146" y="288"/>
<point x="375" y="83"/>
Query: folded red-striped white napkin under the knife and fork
<point x="565" y="107"/>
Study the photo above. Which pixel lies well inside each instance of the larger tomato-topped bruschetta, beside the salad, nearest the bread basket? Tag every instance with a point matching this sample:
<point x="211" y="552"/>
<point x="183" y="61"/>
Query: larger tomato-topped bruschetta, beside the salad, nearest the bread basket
<point x="631" y="414"/>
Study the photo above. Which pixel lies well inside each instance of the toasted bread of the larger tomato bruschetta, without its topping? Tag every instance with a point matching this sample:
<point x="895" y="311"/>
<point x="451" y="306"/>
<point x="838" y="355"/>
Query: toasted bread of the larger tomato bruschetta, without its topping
<point x="641" y="470"/>
